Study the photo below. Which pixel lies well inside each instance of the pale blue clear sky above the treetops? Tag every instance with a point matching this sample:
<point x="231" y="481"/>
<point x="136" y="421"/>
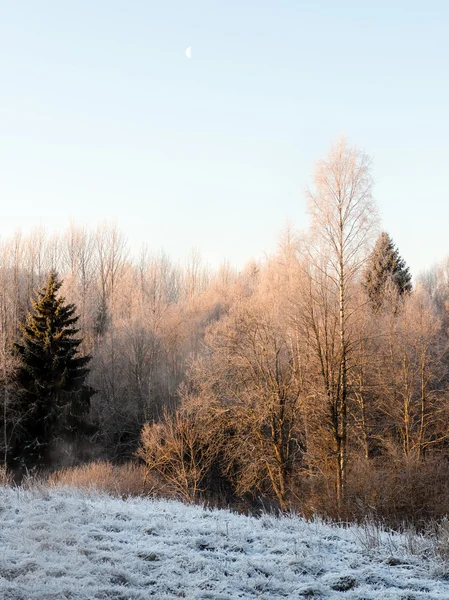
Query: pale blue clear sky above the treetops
<point x="104" y="118"/>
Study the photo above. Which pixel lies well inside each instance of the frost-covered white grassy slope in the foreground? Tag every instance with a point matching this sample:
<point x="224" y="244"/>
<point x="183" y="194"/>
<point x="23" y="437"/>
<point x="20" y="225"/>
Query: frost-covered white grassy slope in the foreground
<point x="57" y="544"/>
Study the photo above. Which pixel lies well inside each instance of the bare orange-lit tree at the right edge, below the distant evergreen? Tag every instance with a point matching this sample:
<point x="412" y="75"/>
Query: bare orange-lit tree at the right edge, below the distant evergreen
<point x="413" y="377"/>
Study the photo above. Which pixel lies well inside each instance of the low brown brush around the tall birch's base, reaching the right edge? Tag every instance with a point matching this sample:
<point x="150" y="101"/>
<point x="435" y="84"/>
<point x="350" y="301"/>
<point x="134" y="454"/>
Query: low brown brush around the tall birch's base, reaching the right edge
<point x="405" y="491"/>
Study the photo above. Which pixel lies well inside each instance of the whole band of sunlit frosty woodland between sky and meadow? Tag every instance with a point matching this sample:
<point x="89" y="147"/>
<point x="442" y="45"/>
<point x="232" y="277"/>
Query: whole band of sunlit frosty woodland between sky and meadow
<point x="315" y="379"/>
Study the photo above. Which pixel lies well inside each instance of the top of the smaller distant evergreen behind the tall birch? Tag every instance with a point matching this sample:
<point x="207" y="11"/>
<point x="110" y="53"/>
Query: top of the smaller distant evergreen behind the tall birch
<point x="385" y="268"/>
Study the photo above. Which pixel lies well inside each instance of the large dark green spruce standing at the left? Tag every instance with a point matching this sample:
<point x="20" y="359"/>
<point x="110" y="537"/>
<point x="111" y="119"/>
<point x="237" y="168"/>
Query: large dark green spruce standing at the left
<point x="54" y="398"/>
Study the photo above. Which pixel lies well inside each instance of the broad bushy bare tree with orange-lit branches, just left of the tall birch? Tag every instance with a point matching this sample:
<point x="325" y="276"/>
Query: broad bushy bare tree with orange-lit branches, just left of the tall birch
<point x="254" y="385"/>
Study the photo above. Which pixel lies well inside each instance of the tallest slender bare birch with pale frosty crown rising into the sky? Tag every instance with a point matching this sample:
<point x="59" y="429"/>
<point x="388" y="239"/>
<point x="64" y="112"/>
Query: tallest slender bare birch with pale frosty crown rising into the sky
<point x="343" y="216"/>
